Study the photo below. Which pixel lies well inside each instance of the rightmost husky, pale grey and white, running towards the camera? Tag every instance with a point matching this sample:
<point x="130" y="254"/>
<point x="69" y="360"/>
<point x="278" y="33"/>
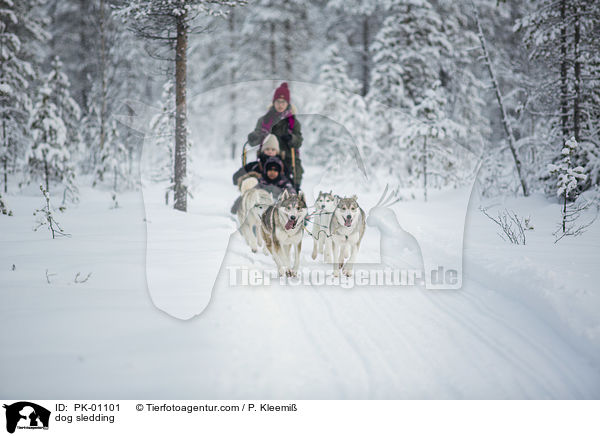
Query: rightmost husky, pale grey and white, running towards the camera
<point x="347" y="228"/>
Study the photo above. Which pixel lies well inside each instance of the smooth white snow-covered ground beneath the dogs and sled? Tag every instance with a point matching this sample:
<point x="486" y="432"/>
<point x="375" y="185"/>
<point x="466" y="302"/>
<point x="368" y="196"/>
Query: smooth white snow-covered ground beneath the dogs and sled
<point x="524" y="325"/>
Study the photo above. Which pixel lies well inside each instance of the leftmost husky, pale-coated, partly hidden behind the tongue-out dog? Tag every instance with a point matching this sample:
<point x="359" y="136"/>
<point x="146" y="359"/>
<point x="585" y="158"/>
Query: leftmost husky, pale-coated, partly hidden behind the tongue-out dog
<point x="254" y="201"/>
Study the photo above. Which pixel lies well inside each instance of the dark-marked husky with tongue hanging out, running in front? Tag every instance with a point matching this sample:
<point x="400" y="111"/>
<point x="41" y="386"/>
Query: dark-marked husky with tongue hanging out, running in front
<point x="282" y="227"/>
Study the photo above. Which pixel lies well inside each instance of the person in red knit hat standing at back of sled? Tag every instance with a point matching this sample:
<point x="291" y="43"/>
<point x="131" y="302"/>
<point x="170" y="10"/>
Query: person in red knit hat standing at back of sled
<point x="281" y="121"/>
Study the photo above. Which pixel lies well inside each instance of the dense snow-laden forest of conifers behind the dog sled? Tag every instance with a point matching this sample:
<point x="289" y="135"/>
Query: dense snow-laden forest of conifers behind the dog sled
<point x="513" y="83"/>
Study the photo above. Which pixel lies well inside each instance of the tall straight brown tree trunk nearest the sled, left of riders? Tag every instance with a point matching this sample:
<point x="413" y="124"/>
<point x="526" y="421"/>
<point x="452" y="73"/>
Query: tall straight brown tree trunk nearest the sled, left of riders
<point x="180" y="114"/>
